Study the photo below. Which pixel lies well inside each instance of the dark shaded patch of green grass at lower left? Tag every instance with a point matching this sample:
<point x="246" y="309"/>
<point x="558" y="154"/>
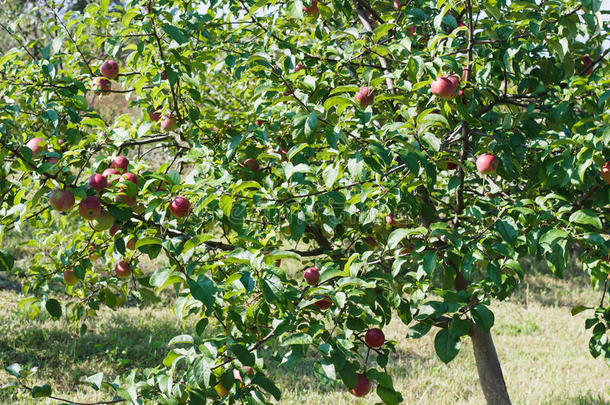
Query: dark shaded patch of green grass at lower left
<point x="113" y="347"/>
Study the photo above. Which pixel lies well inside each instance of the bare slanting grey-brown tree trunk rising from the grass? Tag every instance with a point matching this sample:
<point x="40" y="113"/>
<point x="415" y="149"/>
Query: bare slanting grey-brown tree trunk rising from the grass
<point x="488" y="367"/>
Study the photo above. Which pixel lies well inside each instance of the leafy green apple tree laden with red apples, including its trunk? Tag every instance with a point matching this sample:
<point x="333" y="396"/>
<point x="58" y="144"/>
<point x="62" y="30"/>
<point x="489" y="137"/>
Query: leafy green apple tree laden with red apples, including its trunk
<point x="406" y="156"/>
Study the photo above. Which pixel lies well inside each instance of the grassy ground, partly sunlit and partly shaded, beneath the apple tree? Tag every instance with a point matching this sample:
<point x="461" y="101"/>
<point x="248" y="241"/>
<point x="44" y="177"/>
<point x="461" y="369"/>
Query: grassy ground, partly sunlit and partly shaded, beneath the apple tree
<point x="542" y="348"/>
